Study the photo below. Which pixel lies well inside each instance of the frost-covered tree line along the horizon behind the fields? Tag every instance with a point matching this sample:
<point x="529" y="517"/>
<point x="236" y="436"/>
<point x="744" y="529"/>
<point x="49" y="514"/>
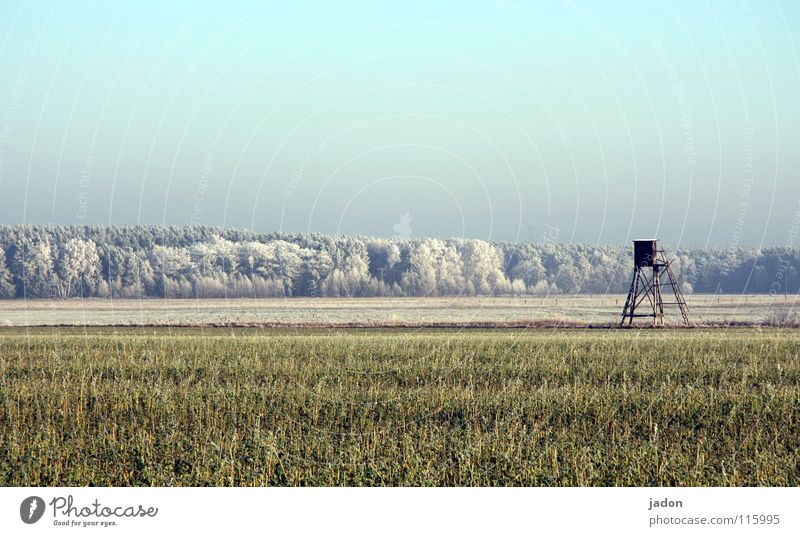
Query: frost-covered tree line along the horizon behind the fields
<point x="44" y="261"/>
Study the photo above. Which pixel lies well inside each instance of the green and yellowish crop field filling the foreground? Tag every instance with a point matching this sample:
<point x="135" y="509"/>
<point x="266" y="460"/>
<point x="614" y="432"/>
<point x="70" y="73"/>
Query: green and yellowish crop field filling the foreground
<point x="194" y="407"/>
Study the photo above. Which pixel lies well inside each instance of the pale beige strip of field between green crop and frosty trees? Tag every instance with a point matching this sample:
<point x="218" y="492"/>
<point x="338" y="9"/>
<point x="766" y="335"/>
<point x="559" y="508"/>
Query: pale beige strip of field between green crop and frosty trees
<point x="579" y="310"/>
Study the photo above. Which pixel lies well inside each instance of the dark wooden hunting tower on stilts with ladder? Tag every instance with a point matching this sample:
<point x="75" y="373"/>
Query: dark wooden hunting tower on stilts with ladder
<point x="650" y="265"/>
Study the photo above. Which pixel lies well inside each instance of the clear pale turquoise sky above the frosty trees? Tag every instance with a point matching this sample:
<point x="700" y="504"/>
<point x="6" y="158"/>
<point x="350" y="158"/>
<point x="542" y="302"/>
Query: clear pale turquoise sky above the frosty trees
<point x="564" y="121"/>
